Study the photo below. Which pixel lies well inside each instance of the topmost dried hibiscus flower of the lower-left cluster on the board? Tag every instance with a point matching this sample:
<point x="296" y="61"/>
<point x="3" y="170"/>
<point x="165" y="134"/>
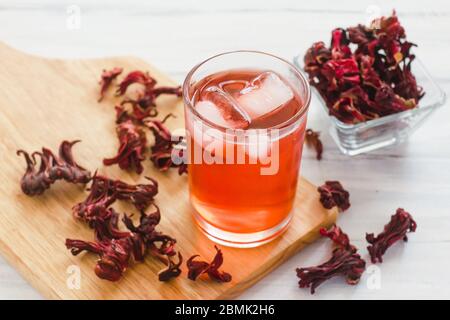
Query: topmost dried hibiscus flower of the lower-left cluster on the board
<point x="104" y="192"/>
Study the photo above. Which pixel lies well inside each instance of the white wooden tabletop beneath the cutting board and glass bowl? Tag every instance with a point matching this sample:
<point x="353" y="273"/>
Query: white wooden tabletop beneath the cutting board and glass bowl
<point x="175" y="35"/>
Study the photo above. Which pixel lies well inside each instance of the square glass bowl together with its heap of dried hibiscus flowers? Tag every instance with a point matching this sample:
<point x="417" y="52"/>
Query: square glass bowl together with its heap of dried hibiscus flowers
<point x="368" y="82"/>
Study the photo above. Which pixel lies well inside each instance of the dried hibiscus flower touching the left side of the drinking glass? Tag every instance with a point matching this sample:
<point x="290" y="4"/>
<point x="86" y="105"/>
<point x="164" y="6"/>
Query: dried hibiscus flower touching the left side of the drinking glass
<point x="166" y="147"/>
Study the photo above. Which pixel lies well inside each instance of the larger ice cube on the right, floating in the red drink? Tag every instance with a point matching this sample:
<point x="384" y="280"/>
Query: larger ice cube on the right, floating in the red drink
<point x="266" y="93"/>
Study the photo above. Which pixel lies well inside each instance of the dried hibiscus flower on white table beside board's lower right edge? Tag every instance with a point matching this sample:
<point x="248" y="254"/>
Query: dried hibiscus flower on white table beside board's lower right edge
<point x="344" y="261"/>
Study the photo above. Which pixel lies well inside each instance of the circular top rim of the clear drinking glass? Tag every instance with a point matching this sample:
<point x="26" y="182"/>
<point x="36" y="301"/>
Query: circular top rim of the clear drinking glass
<point x="300" y="113"/>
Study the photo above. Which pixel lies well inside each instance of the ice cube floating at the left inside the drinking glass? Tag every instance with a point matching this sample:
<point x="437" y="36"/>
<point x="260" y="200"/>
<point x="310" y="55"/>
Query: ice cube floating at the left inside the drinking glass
<point x="220" y="108"/>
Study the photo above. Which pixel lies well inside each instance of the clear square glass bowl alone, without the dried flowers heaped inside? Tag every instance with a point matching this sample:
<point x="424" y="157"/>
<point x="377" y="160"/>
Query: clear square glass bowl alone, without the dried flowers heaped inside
<point x="353" y="139"/>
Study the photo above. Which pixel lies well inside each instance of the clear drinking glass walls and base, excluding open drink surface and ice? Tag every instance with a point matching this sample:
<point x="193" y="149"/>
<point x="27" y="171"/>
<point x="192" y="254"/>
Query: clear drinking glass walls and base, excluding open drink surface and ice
<point x="243" y="182"/>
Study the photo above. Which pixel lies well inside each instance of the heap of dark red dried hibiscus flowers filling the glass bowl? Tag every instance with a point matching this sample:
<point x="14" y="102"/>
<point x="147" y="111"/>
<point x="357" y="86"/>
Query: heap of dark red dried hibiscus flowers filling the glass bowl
<point x="372" y="81"/>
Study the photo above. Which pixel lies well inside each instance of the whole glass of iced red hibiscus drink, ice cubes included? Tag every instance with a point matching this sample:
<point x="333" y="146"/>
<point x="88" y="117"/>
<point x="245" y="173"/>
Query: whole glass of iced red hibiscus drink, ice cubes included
<point x="245" y="119"/>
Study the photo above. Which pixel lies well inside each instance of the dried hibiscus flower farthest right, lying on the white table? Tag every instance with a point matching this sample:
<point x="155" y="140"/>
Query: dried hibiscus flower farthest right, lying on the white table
<point x="400" y="224"/>
